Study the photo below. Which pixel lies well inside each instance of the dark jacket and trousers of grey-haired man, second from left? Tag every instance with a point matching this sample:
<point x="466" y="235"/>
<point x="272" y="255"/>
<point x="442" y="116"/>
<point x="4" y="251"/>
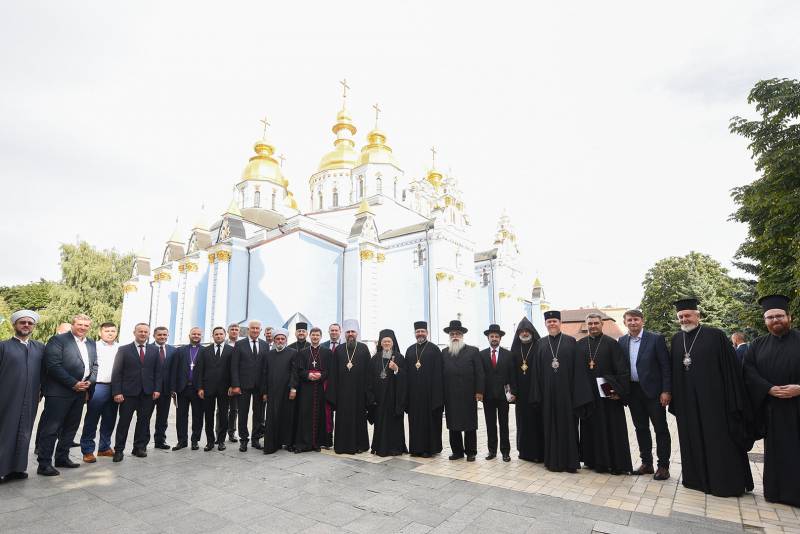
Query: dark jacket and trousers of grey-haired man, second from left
<point x="63" y="405"/>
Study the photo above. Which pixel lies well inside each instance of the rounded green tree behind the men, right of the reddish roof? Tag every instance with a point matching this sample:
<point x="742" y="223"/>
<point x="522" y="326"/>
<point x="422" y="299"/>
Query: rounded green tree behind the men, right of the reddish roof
<point x="725" y="302"/>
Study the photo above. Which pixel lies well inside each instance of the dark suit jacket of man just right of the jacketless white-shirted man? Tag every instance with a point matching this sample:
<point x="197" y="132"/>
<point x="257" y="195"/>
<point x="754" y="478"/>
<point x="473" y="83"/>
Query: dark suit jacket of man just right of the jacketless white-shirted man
<point x="131" y="377"/>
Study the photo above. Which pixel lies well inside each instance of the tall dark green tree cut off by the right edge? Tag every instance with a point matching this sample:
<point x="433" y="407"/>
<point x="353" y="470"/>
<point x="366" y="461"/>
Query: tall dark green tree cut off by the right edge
<point x="770" y="206"/>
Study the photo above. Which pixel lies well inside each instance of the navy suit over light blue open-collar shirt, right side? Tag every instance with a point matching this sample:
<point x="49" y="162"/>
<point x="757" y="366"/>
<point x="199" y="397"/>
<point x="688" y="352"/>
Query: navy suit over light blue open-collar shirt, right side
<point x="651" y="375"/>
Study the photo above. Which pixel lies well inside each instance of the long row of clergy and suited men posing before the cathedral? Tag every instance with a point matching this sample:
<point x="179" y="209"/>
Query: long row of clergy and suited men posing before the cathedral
<point x="569" y="395"/>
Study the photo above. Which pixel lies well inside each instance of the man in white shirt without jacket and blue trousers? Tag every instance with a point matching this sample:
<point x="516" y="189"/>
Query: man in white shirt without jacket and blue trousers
<point x="101" y="407"/>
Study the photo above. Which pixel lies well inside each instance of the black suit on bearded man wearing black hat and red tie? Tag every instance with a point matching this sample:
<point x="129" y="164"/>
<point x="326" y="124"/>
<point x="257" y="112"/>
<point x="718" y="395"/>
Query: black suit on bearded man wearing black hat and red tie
<point x="495" y="403"/>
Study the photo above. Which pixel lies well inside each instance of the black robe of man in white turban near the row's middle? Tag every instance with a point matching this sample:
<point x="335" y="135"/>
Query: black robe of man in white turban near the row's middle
<point x="279" y="377"/>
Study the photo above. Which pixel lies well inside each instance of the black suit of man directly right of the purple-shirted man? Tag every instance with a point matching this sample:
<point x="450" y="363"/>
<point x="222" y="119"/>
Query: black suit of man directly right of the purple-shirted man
<point x="214" y="377"/>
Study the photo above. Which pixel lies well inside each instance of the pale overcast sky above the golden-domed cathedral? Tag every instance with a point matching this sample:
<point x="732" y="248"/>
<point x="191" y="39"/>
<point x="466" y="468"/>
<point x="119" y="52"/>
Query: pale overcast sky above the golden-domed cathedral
<point x="601" y="127"/>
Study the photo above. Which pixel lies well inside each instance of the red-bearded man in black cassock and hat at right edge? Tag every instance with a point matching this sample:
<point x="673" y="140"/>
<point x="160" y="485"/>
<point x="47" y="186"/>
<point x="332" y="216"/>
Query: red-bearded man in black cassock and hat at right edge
<point x="771" y="376"/>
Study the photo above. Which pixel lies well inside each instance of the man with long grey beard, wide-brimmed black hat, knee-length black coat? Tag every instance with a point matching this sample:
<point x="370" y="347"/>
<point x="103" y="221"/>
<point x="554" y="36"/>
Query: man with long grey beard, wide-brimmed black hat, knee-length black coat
<point x="463" y="388"/>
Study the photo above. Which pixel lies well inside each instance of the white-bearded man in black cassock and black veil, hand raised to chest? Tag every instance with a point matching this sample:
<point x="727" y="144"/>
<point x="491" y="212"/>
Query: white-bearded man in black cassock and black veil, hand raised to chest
<point x="388" y="375"/>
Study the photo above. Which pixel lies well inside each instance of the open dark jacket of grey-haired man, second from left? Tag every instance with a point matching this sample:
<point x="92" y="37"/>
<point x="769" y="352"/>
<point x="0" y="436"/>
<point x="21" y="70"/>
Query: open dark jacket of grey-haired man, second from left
<point x="65" y="366"/>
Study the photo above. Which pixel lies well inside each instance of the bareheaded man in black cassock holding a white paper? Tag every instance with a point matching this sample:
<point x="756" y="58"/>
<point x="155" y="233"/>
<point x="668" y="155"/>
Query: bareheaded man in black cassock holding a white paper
<point x="604" y="433"/>
